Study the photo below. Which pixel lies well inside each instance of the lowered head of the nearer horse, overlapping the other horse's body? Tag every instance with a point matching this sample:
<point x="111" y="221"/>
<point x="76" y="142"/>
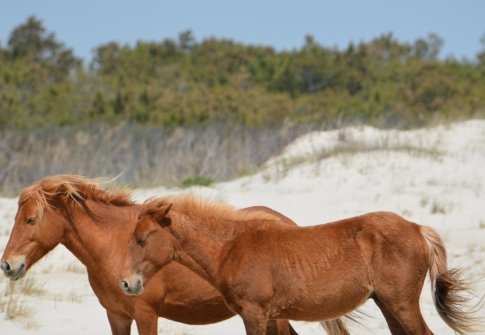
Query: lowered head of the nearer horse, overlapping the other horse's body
<point x="150" y="247"/>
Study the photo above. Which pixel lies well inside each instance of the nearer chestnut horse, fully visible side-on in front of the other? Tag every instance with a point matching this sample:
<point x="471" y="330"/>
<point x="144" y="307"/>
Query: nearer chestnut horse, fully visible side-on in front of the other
<point x="266" y="271"/>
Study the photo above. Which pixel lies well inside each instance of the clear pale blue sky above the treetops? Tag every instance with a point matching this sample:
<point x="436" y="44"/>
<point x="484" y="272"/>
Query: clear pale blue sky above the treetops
<point x="85" y="24"/>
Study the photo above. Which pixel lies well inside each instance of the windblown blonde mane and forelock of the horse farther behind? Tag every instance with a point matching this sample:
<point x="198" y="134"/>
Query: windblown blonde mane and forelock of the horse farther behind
<point x="74" y="188"/>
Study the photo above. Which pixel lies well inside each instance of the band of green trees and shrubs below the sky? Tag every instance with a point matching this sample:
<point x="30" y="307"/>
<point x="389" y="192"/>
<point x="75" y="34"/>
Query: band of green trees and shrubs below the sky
<point x="183" y="82"/>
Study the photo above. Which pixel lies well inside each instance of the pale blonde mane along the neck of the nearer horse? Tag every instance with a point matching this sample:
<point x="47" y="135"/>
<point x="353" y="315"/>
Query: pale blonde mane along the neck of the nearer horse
<point x="191" y="206"/>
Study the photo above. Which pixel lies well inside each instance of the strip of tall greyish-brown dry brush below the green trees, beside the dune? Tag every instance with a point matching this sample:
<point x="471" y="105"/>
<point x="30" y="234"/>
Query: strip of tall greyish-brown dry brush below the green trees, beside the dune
<point x="145" y="156"/>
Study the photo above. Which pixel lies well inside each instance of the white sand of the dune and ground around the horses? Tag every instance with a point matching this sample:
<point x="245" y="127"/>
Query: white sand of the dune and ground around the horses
<point x="431" y="176"/>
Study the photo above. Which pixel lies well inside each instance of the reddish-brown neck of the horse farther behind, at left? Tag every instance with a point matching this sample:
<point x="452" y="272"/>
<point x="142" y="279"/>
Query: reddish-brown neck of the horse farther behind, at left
<point x="92" y="241"/>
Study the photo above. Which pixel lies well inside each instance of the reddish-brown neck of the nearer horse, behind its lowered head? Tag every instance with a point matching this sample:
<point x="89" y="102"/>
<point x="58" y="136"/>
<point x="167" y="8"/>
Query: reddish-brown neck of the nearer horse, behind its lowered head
<point x="202" y="244"/>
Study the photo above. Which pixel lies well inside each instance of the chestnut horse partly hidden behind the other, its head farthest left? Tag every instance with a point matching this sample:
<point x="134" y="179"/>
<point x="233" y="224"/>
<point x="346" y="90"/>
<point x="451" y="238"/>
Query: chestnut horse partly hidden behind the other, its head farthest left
<point x="94" y="223"/>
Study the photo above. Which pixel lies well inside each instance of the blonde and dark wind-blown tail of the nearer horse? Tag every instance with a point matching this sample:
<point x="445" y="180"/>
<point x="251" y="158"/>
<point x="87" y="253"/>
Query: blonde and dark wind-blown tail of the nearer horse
<point x="448" y="288"/>
